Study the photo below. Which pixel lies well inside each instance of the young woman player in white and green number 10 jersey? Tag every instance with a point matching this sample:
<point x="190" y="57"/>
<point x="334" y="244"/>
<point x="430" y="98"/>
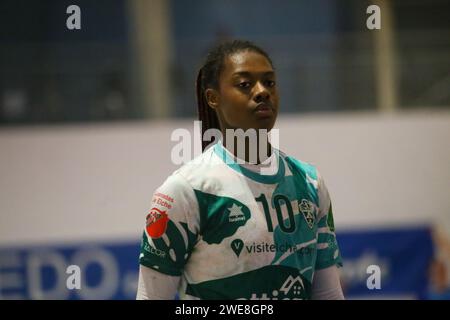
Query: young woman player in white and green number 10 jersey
<point x="221" y="228"/>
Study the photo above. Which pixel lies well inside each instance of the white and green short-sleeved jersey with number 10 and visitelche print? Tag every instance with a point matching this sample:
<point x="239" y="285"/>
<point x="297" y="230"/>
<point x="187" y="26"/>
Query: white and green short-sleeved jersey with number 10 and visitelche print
<point x="232" y="232"/>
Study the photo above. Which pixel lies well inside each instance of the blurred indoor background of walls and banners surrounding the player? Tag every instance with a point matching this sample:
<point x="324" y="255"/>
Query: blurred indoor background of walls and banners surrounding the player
<point x="86" y="117"/>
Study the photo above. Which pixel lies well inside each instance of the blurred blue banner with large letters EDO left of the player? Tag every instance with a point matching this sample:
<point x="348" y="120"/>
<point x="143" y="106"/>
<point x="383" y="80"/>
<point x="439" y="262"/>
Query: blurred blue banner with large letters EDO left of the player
<point x="85" y="271"/>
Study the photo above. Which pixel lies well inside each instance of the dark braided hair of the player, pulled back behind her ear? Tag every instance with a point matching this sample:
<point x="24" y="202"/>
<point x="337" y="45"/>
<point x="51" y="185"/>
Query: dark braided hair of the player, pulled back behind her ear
<point x="208" y="77"/>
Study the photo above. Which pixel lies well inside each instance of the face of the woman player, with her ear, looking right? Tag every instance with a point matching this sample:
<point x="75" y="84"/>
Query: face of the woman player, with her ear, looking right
<point x="247" y="96"/>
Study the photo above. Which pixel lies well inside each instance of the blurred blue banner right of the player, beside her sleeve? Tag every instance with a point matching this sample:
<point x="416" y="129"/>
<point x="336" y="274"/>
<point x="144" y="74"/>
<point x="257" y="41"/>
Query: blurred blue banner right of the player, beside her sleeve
<point x="402" y="256"/>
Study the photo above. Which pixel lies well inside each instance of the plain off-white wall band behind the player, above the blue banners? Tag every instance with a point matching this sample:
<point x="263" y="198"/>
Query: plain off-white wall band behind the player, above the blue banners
<point x="94" y="182"/>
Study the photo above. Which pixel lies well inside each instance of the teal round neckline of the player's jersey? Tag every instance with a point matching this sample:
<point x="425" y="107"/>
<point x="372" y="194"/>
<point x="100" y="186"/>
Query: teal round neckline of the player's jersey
<point x="228" y="158"/>
